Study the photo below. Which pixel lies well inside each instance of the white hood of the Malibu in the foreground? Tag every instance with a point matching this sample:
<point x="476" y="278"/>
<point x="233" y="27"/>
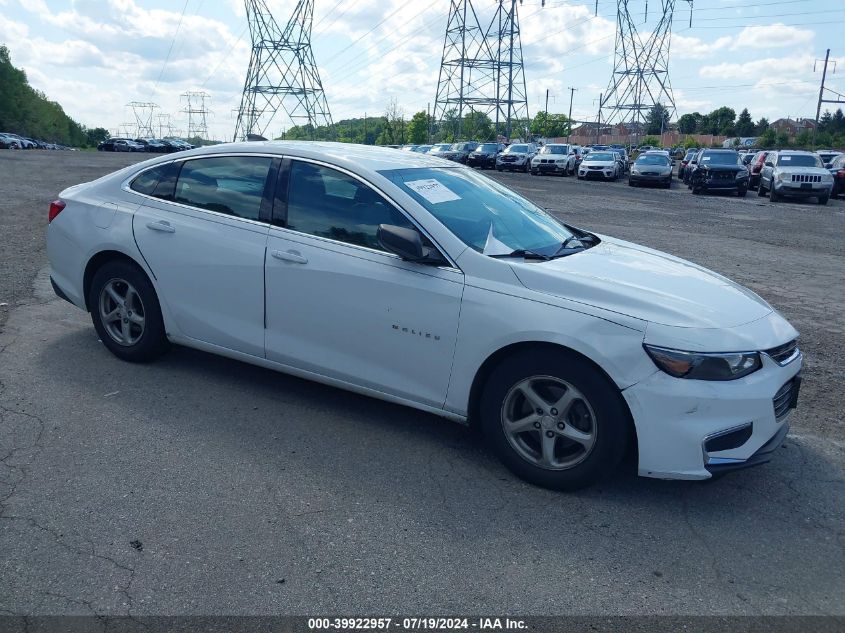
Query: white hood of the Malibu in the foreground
<point x="645" y="284"/>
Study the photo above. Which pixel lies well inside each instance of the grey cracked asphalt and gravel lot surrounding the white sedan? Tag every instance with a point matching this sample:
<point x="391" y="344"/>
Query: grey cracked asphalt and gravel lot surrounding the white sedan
<point x="199" y="485"/>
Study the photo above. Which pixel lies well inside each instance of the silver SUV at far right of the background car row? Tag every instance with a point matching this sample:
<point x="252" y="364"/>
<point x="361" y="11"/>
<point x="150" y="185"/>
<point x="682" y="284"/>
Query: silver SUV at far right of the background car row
<point x="795" y="173"/>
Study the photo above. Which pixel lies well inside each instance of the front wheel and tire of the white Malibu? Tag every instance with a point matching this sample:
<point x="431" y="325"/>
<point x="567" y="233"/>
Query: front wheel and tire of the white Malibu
<point x="597" y="416"/>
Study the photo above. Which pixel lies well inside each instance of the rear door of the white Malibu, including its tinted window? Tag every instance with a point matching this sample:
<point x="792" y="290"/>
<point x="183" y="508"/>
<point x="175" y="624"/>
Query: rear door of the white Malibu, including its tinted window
<point x="203" y="235"/>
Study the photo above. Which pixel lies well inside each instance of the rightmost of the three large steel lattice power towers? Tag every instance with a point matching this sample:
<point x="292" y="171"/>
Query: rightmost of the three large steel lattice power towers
<point x="640" y="78"/>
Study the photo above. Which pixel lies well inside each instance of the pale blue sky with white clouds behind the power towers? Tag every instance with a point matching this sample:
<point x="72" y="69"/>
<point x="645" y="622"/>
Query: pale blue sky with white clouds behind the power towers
<point x="96" y="56"/>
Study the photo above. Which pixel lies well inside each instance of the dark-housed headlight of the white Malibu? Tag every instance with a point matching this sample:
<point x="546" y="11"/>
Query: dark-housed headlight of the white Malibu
<point x="701" y="366"/>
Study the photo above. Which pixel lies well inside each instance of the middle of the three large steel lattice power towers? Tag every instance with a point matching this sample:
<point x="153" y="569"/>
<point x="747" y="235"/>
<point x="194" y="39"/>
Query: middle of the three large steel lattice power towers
<point x="481" y="69"/>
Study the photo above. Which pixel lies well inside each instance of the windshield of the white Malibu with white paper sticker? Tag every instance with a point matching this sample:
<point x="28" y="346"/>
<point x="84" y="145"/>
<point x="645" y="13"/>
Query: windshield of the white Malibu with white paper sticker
<point x="483" y="214"/>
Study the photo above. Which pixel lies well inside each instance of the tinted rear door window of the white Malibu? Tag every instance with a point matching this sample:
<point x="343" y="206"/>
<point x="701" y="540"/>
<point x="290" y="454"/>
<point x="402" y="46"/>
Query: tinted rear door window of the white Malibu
<point x="233" y="185"/>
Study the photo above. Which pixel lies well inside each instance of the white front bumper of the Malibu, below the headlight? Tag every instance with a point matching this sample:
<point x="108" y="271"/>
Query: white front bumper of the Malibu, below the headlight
<point x="675" y="418"/>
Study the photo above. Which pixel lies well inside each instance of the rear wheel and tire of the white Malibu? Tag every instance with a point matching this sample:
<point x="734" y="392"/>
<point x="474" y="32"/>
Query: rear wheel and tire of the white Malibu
<point x="143" y="338"/>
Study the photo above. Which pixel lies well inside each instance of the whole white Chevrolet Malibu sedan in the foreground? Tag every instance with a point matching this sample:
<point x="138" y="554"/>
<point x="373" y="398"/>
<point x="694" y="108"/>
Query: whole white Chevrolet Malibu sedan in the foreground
<point x="402" y="277"/>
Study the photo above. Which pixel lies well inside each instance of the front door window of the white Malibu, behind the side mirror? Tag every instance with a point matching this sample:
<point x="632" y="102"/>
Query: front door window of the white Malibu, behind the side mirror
<point x="328" y="203"/>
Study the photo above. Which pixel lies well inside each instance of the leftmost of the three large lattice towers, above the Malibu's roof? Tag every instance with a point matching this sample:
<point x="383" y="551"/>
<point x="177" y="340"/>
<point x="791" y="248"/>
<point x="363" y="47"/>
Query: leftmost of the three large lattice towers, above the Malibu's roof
<point x="282" y="73"/>
